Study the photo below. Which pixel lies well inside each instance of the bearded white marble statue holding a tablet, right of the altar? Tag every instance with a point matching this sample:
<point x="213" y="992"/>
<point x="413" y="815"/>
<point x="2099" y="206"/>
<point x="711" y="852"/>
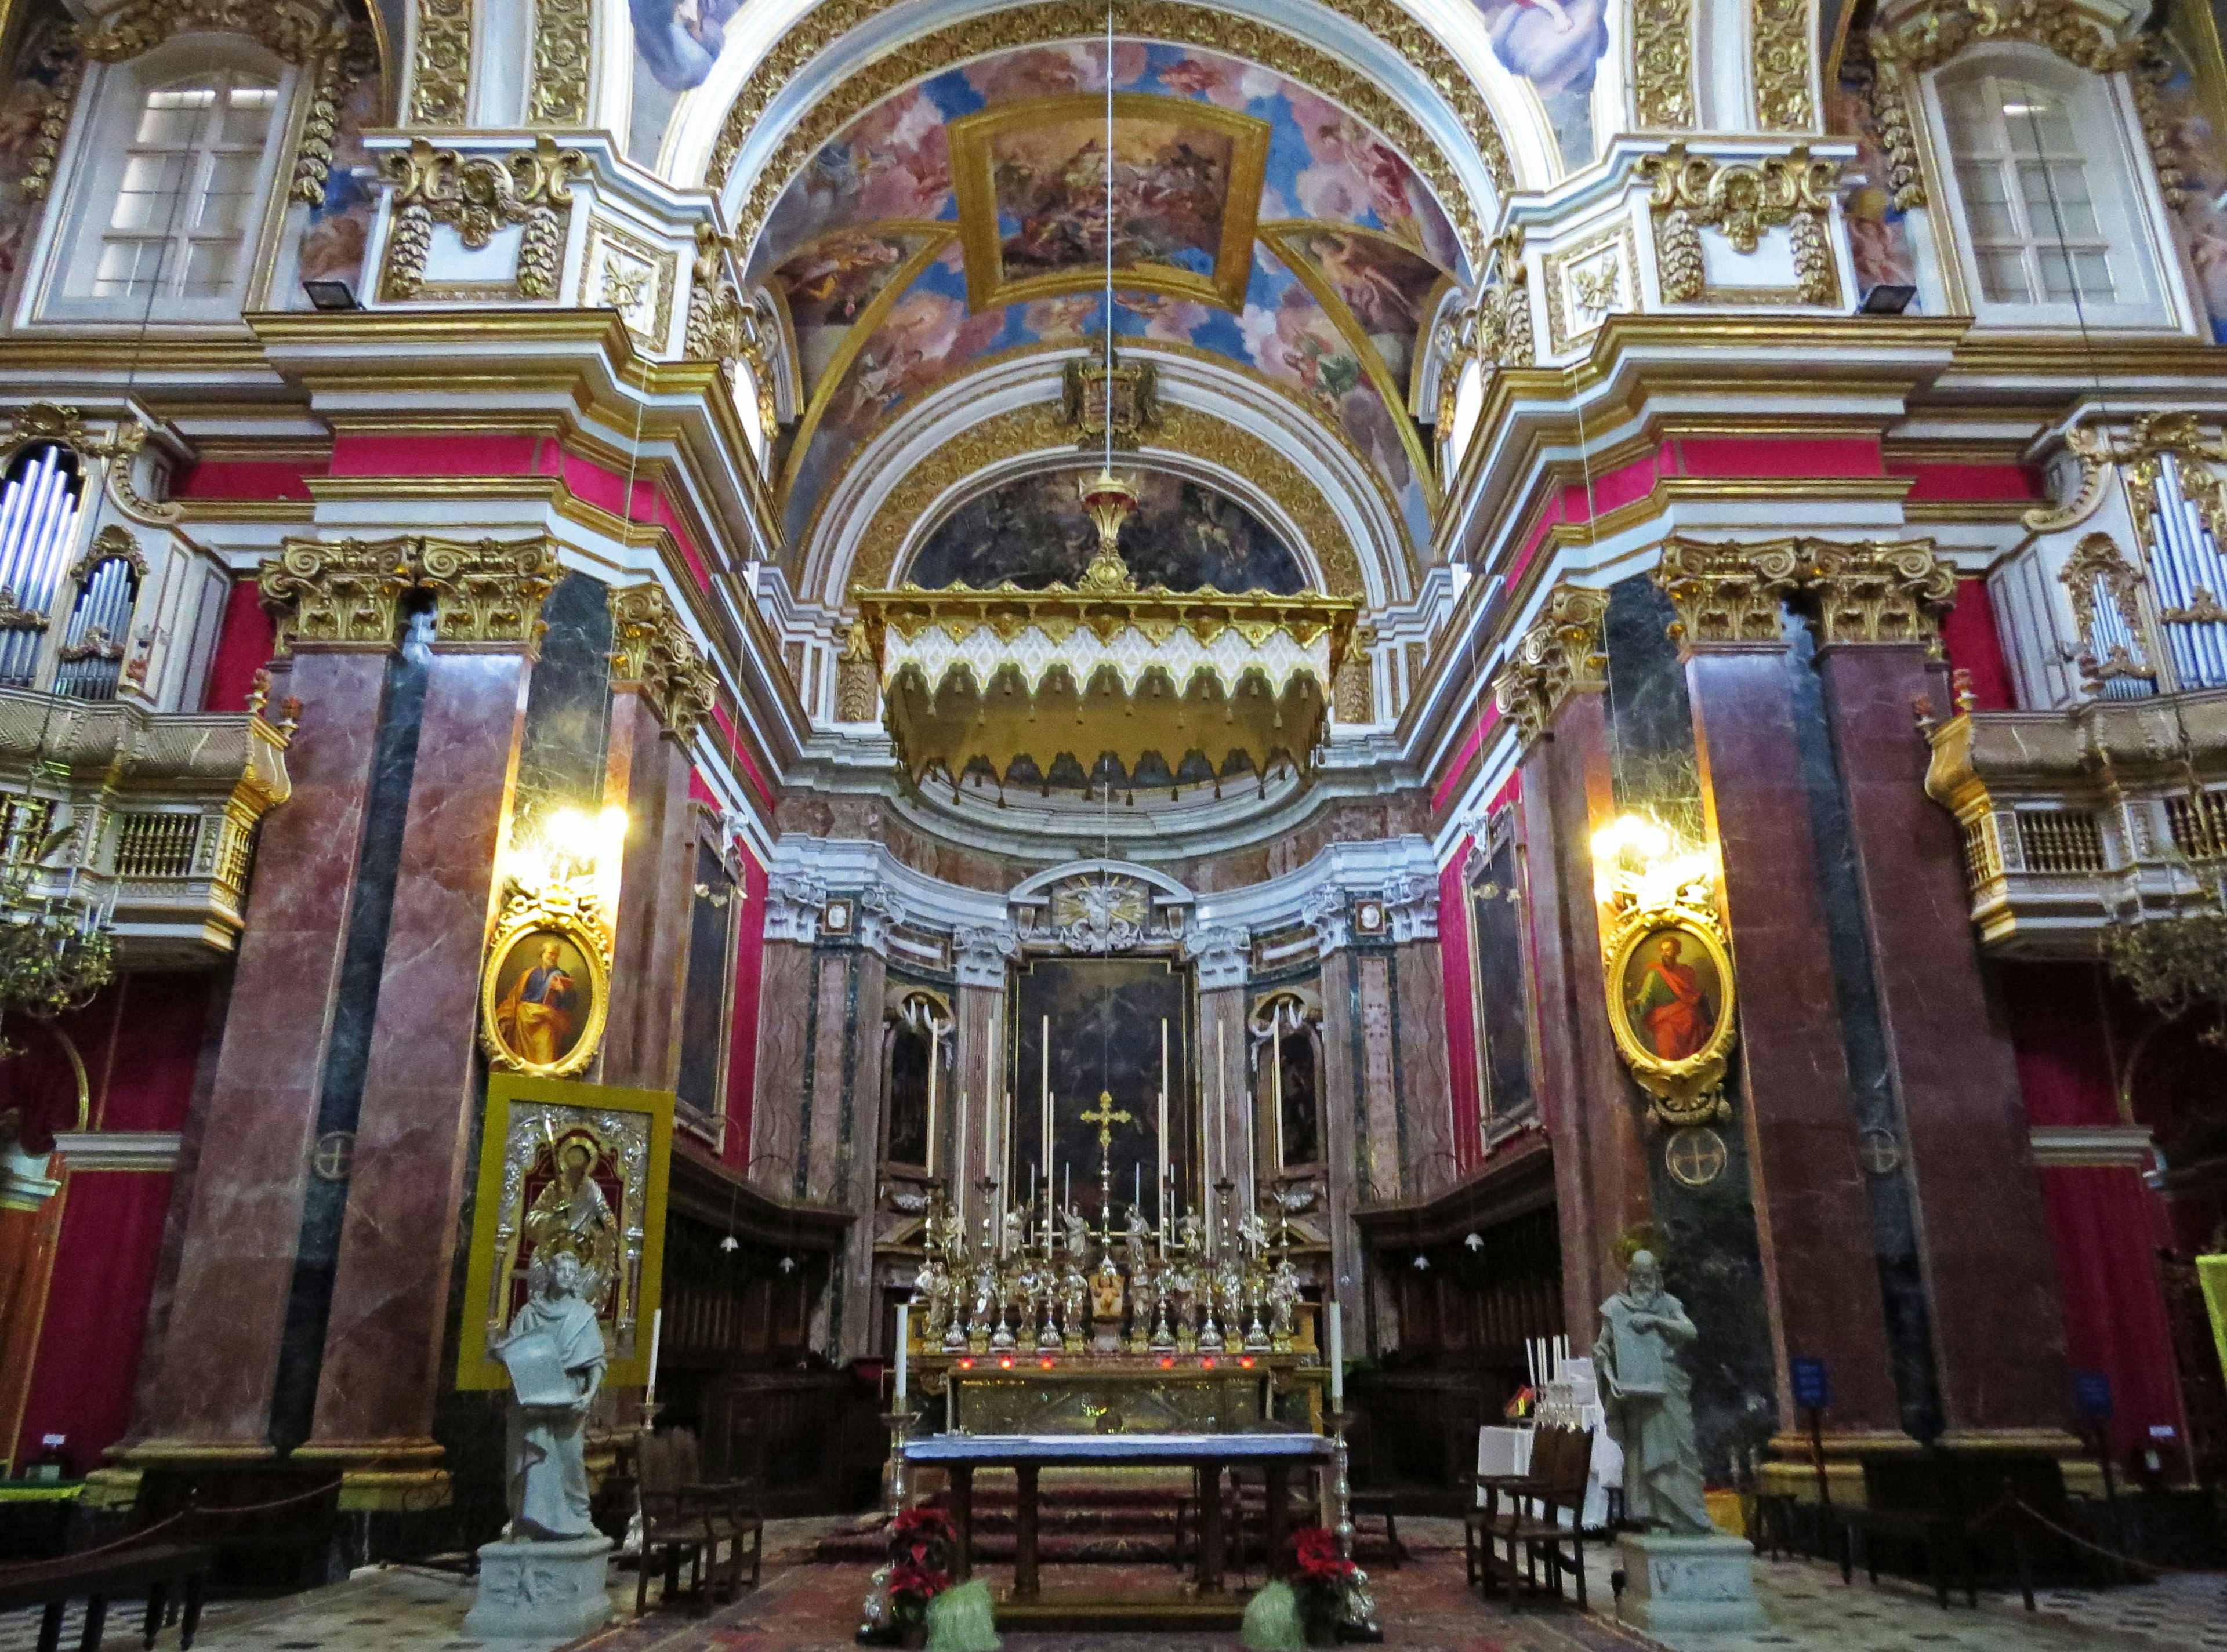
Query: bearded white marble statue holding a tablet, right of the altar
<point x="1649" y="1410"/>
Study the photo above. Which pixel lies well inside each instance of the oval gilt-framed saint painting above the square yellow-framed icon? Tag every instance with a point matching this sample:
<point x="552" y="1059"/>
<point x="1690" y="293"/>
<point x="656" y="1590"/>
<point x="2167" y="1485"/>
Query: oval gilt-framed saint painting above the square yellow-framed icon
<point x="545" y="990"/>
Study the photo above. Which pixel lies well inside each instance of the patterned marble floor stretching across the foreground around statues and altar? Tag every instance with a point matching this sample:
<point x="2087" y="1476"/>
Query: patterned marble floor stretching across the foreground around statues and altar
<point x="1426" y="1609"/>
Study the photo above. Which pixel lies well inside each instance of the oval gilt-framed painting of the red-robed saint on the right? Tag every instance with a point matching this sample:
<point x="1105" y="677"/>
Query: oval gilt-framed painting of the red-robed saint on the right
<point x="1671" y="1007"/>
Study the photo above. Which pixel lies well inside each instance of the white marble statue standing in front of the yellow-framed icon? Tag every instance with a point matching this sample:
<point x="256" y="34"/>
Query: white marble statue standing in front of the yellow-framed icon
<point x="549" y="1475"/>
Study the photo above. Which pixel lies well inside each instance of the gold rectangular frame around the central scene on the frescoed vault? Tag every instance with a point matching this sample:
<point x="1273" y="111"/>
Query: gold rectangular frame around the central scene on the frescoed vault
<point x="979" y="146"/>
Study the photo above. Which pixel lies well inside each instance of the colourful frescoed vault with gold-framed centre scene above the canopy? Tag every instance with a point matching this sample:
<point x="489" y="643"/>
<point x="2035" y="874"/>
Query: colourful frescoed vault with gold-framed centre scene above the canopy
<point x="963" y="219"/>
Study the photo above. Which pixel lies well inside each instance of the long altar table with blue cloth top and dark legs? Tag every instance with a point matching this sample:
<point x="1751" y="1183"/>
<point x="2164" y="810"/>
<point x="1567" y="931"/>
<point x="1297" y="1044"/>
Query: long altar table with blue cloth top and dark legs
<point x="1206" y="1455"/>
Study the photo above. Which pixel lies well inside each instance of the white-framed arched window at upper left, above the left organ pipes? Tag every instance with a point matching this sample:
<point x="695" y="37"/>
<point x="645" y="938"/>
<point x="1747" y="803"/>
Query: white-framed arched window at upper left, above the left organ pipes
<point x="173" y="186"/>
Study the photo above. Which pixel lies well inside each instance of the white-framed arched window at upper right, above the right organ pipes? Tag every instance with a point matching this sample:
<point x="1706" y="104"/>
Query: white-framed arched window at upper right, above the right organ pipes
<point x="2045" y="195"/>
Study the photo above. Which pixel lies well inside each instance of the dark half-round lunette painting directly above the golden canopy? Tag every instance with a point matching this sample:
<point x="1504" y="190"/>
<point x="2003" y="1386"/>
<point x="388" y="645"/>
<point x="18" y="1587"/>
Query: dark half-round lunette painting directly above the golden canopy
<point x="1034" y="533"/>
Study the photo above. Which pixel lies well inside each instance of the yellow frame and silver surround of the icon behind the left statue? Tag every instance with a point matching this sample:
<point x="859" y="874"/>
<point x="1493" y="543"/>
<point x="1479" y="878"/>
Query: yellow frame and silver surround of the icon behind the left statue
<point x="527" y="1119"/>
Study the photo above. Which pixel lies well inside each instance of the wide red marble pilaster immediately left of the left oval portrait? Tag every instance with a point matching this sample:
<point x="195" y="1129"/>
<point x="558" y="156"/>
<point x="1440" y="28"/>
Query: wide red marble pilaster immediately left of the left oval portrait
<point x="402" y="1228"/>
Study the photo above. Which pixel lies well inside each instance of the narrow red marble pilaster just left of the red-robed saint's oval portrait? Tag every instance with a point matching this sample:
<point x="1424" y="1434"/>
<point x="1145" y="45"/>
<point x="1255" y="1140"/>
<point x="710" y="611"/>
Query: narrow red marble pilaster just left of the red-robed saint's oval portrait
<point x="1585" y="1097"/>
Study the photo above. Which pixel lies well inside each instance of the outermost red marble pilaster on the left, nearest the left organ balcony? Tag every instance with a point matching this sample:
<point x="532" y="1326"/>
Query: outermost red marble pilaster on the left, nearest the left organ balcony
<point x="213" y="1395"/>
